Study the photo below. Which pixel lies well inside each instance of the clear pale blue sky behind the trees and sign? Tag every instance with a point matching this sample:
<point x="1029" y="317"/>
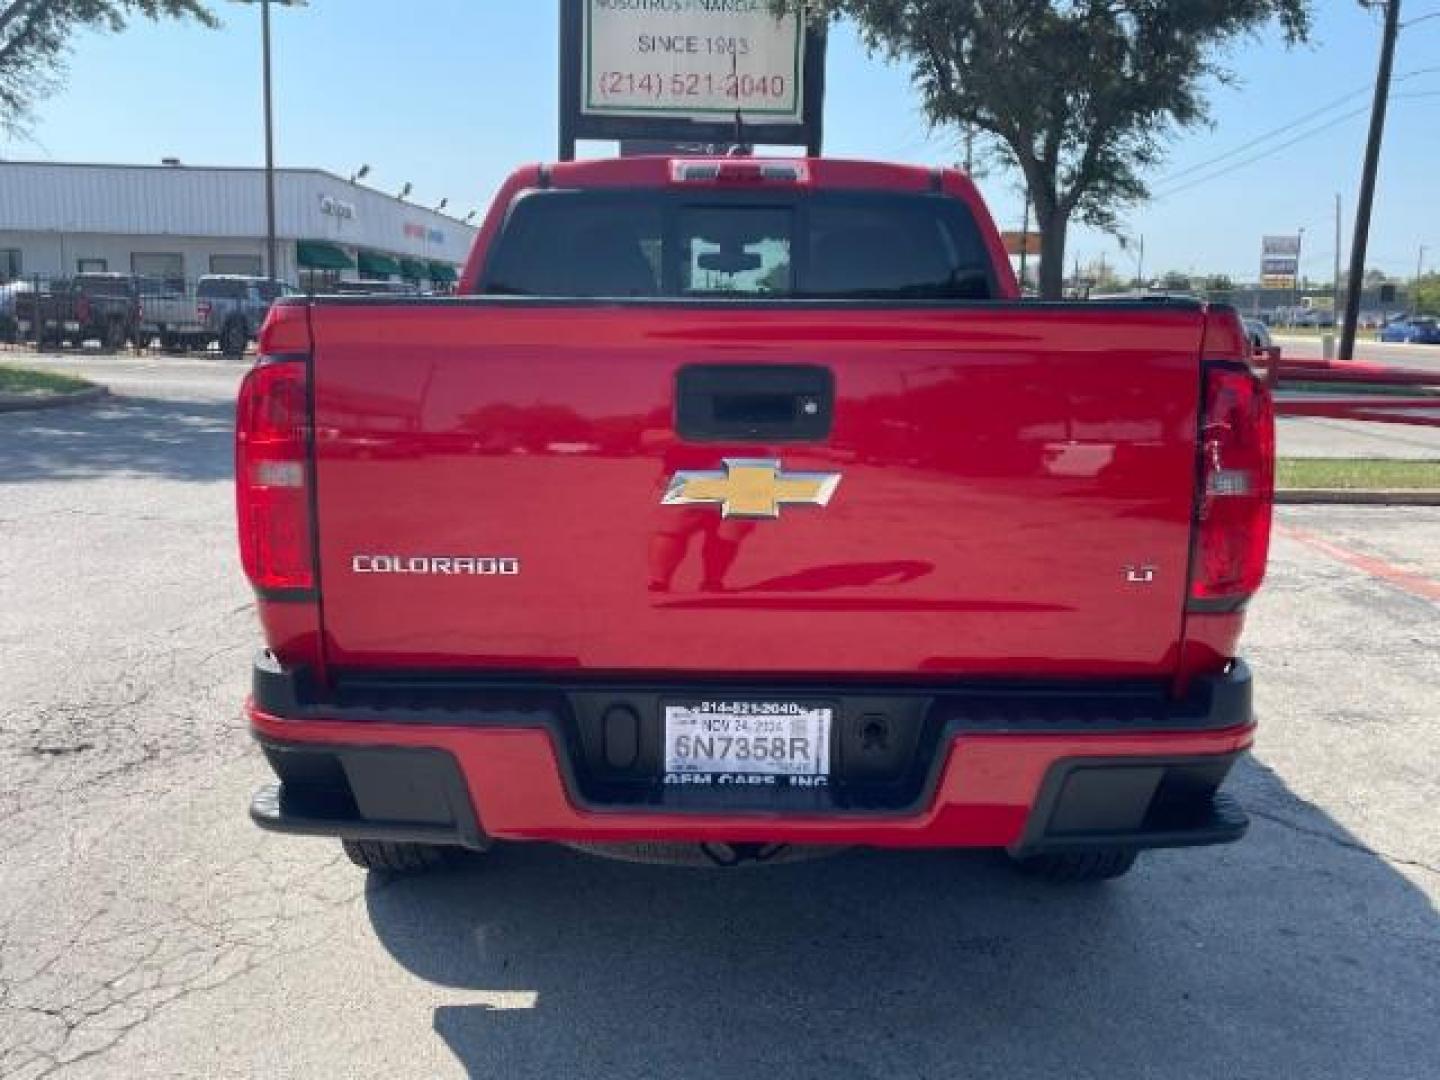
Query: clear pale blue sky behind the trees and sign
<point x="451" y="96"/>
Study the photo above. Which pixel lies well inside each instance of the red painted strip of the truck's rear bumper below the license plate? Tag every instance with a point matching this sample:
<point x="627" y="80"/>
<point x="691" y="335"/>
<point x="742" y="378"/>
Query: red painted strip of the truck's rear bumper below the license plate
<point x="983" y="800"/>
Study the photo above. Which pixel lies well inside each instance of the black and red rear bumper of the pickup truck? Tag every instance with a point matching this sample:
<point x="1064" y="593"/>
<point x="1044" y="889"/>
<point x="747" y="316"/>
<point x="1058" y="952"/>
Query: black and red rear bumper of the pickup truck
<point x="1023" y="768"/>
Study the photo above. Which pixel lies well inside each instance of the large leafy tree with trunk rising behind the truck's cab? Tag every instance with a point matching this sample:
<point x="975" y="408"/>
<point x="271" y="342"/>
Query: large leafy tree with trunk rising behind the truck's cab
<point x="1081" y="96"/>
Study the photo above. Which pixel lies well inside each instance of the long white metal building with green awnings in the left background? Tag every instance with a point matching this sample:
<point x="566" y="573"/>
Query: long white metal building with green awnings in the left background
<point x="181" y="222"/>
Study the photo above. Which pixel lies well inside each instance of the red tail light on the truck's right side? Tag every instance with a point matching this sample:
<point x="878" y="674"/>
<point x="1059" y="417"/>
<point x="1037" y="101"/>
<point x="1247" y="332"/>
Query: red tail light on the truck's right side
<point x="1236" y="489"/>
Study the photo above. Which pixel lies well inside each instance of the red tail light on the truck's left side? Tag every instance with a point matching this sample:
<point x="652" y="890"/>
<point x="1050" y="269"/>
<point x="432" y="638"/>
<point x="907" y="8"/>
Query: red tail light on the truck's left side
<point x="273" y="477"/>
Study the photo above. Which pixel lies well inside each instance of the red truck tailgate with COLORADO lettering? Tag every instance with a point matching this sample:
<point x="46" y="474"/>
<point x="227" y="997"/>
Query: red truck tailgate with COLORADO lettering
<point x="1013" y="490"/>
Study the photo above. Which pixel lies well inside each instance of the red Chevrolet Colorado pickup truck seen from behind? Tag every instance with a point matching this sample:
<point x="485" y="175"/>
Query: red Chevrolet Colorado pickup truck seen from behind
<point x="738" y="505"/>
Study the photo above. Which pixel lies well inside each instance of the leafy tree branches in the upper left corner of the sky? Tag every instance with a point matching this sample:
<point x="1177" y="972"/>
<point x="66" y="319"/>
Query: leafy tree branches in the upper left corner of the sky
<point x="34" y="38"/>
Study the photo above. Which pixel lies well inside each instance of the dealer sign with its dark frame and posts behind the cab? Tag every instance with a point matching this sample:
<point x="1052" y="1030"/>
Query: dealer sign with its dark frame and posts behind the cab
<point x="690" y="71"/>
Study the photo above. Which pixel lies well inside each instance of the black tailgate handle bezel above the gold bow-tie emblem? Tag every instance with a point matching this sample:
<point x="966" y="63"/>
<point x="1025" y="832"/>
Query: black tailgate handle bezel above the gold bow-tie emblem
<point x="755" y="402"/>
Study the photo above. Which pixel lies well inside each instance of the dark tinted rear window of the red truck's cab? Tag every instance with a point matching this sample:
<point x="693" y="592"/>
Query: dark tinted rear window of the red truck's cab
<point x="829" y="246"/>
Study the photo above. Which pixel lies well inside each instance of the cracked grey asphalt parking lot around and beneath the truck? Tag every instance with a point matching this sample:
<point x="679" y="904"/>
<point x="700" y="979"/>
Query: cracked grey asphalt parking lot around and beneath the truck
<point x="149" y="931"/>
